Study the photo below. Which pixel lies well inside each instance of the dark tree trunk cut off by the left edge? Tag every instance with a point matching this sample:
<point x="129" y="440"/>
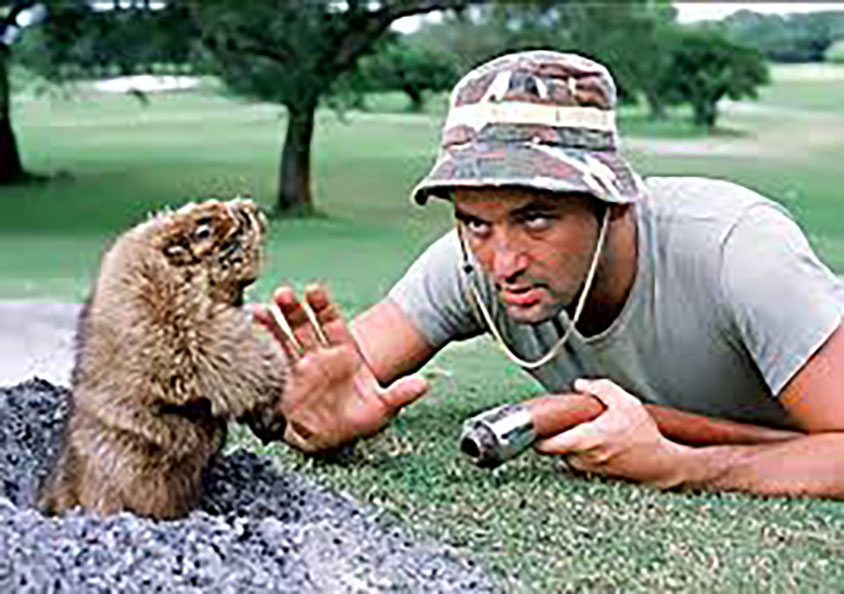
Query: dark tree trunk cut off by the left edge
<point x="11" y="167"/>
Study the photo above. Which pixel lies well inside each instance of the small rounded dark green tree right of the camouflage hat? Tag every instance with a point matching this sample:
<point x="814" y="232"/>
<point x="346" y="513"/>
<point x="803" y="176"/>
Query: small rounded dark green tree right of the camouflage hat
<point x="705" y="67"/>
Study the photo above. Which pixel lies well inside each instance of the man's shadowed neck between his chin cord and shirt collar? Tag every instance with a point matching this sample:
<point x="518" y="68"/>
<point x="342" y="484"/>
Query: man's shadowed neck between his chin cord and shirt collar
<point x="615" y="276"/>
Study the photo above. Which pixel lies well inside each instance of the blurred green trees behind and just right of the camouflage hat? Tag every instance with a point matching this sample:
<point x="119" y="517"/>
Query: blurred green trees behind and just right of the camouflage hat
<point x="652" y="58"/>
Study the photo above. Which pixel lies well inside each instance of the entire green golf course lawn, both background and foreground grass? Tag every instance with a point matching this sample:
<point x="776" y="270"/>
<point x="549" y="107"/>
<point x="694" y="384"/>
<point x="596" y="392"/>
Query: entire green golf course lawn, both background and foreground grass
<point x="535" y="526"/>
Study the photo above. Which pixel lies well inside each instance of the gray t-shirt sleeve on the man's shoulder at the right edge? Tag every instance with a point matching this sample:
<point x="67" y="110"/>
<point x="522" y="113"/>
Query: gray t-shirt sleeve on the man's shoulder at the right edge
<point x="780" y="299"/>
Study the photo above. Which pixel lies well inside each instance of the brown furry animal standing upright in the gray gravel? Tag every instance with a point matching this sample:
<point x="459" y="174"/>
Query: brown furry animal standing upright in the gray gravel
<point x="166" y="356"/>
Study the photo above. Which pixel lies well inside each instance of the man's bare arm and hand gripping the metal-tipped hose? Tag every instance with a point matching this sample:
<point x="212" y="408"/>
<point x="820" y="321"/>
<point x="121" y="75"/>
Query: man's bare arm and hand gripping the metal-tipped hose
<point x="625" y="440"/>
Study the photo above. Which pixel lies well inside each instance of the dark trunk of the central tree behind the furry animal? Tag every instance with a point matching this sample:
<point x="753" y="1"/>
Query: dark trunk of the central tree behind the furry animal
<point x="294" y="186"/>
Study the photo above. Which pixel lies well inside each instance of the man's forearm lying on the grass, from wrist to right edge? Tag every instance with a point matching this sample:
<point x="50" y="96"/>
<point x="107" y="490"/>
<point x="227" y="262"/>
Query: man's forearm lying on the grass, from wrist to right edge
<point x="812" y="465"/>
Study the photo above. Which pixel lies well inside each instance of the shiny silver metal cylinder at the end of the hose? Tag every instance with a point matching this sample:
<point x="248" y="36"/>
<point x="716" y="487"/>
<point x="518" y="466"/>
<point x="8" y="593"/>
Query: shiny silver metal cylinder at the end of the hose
<point x="497" y="435"/>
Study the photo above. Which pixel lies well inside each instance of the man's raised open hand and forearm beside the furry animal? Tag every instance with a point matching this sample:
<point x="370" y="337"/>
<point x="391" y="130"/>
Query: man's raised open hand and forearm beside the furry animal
<point x="336" y="389"/>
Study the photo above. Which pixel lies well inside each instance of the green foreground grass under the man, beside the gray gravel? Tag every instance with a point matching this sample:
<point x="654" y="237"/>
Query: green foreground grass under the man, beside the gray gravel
<point x="541" y="529"/>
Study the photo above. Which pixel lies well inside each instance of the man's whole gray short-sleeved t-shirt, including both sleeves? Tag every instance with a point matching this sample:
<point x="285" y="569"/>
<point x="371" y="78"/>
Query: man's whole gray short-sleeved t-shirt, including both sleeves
<point x="729" y="302"/>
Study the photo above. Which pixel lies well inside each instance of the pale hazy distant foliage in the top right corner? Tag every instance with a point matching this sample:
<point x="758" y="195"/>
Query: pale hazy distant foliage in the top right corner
<point x="786" y="38"/>
